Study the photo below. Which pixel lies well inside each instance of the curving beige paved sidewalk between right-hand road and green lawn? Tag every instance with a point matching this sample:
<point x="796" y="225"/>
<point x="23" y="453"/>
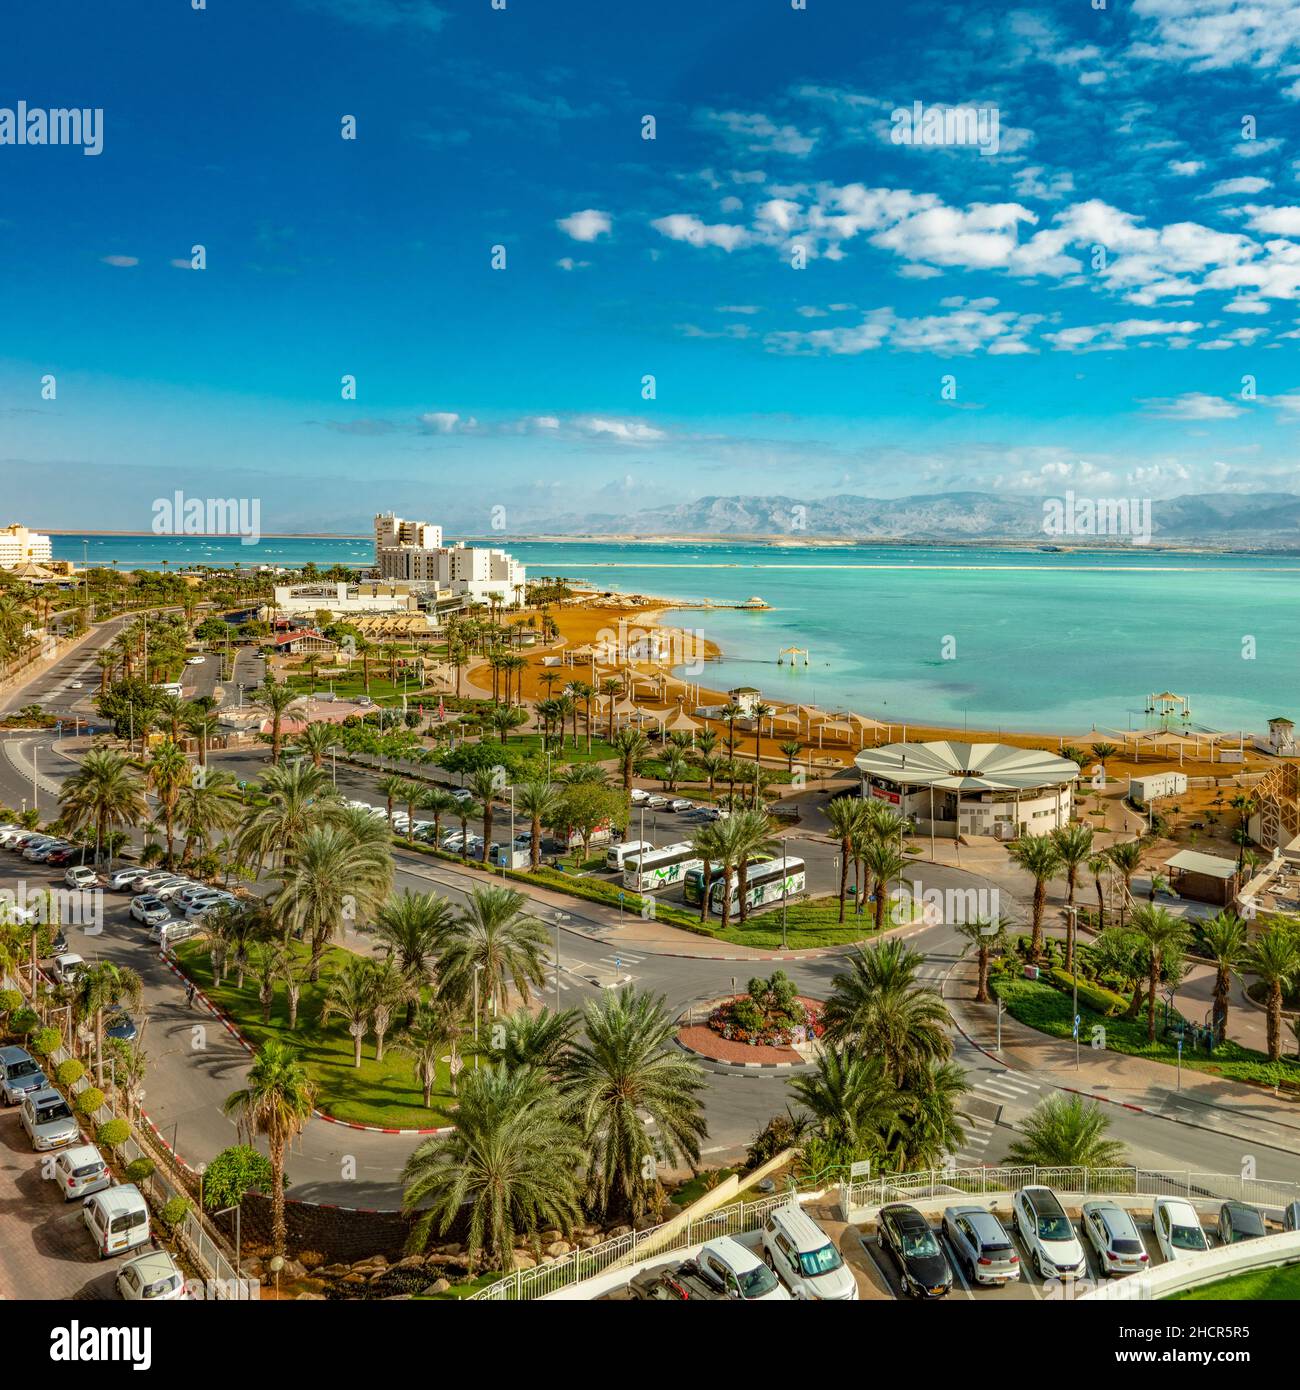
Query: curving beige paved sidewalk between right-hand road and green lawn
<point x="1206" y="1102"/>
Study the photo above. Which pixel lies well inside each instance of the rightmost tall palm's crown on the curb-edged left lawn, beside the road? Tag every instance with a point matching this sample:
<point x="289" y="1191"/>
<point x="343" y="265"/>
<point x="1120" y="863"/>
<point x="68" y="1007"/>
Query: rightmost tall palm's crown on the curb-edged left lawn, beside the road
<point x="496" y="940"/>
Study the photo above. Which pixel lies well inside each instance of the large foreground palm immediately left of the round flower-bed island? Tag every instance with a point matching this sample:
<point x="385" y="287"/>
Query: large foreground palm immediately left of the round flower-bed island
<point x="626" y="1068"/>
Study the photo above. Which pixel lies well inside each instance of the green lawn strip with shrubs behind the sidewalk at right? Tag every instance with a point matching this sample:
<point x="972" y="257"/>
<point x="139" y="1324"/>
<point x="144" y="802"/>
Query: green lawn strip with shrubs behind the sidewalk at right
<point x="1049" y="1011"/>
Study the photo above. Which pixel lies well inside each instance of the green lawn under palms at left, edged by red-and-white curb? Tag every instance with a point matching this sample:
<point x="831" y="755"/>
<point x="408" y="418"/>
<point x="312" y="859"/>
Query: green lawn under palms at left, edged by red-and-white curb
<point x="377" y="1093"/>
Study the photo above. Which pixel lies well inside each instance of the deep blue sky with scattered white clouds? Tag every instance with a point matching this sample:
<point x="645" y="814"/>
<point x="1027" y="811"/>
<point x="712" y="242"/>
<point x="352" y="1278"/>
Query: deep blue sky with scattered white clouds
<point x="476" y="389"/>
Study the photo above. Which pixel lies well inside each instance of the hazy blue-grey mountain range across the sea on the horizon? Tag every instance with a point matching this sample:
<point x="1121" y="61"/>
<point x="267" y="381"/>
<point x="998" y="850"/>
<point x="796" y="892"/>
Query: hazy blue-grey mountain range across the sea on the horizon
<point x="1256" y="521"/>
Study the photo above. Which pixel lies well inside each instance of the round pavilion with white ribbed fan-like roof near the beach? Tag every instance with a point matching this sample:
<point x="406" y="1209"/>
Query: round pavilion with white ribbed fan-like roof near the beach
<point x="952" y="789"/>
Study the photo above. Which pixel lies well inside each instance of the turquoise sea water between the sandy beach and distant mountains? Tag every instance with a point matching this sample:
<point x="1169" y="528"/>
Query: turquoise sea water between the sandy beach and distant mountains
<point x="1043" y="641"/>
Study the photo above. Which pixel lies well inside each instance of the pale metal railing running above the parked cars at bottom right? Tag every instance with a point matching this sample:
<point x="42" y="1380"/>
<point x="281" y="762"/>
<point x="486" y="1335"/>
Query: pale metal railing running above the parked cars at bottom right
<point x="877" y="1192"/>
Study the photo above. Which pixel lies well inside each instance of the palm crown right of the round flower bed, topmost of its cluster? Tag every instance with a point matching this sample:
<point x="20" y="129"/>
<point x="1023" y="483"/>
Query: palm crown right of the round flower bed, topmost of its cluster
<point x="879" y="1007"/>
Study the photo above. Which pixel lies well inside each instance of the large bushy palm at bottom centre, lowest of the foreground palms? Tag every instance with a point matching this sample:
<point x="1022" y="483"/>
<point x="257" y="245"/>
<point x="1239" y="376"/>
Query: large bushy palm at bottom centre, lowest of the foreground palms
<point x="511" y="1166"/>
